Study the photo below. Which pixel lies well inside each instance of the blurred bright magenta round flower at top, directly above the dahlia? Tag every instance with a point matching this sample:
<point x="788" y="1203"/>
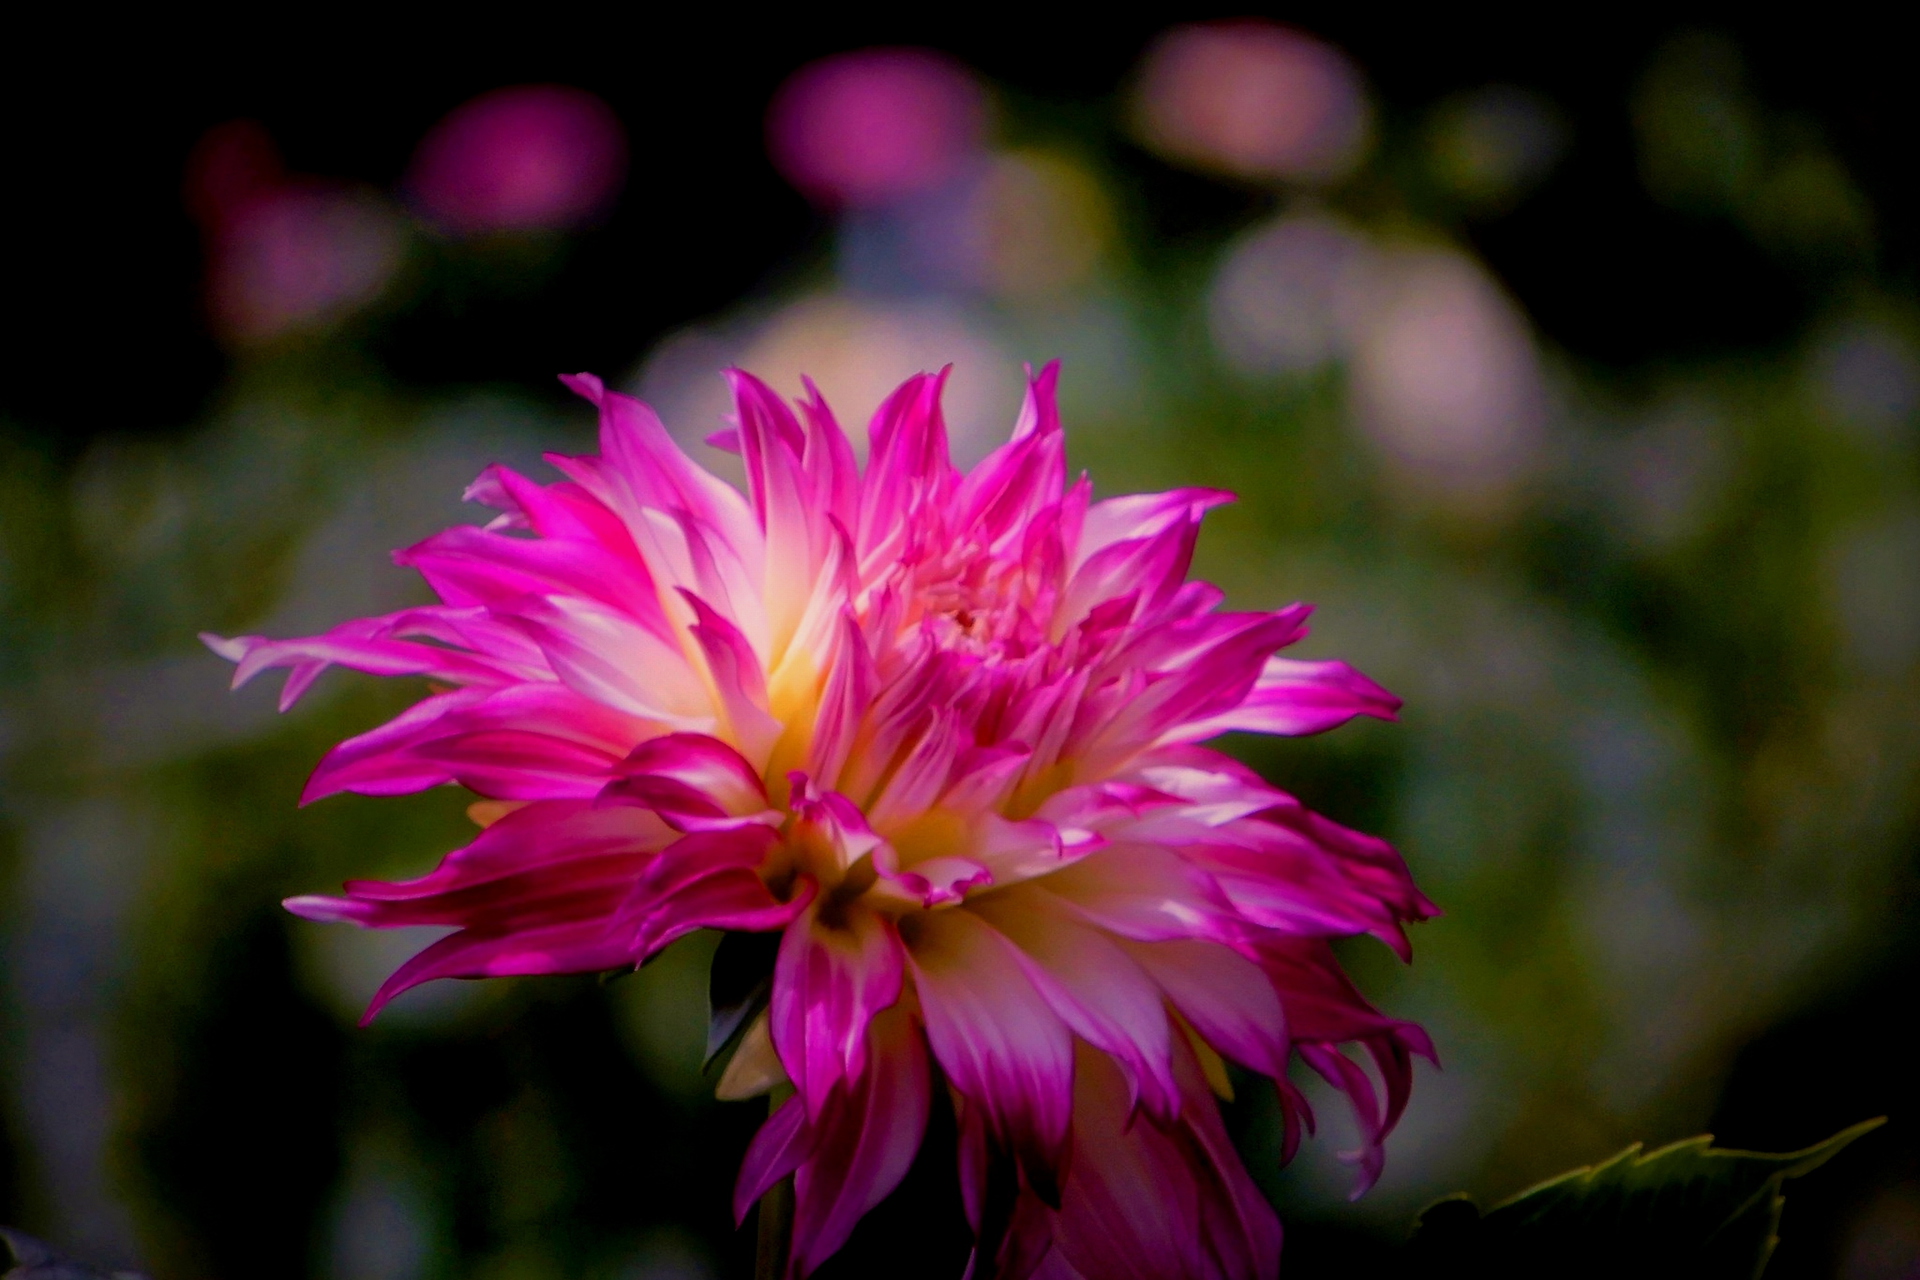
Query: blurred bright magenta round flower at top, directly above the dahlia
<point x="869" y="128"/>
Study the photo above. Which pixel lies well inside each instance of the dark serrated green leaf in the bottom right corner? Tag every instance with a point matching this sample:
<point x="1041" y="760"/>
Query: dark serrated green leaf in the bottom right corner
<point x="1689" y="1210"/>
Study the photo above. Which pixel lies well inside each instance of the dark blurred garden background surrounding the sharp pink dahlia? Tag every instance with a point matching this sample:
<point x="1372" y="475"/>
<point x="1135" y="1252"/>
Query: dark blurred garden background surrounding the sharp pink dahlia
<point x="1572" y="371"/>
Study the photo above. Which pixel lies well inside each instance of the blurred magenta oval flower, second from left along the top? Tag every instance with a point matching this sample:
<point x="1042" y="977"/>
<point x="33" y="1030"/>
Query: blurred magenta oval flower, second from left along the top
<point x="527" y="158"/>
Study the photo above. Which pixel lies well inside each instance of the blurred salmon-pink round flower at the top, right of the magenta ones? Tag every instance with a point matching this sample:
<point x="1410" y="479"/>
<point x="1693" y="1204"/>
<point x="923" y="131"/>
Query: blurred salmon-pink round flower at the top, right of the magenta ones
<point x="1255" y="101"/>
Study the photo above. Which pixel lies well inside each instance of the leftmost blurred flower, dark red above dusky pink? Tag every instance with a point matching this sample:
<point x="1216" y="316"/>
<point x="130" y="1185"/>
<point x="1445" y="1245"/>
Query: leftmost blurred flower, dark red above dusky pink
<point x="283" y="252"/>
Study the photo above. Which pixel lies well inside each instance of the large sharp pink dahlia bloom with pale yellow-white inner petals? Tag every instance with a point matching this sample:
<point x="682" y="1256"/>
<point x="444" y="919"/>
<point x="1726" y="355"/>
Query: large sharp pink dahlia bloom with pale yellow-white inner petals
<point x="938" y="730"/>
